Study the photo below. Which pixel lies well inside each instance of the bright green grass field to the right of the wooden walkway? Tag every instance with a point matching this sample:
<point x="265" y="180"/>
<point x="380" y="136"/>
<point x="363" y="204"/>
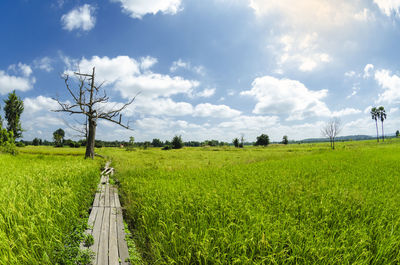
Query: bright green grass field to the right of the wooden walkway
<point x="277" y="205"/>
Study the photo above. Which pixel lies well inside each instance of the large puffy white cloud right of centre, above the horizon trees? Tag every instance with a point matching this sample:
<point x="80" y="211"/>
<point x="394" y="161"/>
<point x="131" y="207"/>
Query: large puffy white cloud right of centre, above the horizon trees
<point x="285" y="96"/>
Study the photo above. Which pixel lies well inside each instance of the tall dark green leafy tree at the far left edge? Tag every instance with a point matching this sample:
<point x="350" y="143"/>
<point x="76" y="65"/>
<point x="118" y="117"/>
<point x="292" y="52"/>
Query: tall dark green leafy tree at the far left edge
<point x="14" y="106"/>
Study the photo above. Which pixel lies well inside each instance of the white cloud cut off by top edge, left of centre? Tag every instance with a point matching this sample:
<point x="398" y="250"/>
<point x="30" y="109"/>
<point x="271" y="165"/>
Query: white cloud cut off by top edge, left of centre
<point x="139" y="8"/>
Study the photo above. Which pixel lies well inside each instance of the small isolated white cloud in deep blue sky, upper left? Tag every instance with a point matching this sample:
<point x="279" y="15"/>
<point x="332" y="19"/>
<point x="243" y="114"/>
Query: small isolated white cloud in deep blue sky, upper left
<point x="79" y="18"/>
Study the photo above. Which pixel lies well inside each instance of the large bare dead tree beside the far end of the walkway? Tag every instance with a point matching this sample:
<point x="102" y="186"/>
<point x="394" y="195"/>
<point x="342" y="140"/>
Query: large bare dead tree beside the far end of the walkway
<point x="87" y="101"/>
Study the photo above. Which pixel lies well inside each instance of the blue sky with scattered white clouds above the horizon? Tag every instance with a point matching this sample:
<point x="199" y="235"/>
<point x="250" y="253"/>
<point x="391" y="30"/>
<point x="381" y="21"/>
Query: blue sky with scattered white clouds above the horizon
<point x="210" y="69"/>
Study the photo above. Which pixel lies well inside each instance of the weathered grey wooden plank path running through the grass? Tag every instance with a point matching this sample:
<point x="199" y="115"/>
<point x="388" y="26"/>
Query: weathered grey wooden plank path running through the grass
<point x="106" y="224"/>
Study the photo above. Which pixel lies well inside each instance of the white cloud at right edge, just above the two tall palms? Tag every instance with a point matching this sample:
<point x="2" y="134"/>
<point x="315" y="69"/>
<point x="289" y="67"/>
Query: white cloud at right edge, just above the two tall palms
<point x="391" y="86"/>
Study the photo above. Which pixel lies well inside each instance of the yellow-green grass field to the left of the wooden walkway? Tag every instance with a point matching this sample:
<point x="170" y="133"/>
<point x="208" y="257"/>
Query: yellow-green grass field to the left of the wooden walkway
<point x="43" y="199"/>
